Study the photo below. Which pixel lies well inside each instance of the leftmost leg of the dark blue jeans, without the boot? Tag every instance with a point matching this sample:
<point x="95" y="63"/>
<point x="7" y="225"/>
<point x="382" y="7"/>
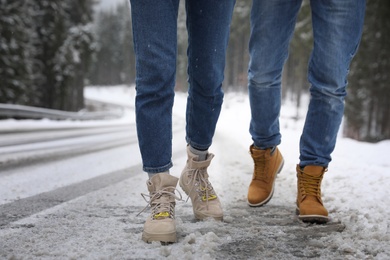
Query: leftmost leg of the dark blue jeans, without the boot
<point x="155" y="44"/>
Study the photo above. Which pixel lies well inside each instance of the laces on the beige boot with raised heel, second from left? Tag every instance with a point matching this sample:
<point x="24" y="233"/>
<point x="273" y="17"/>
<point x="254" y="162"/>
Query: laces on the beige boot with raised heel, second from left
<point x="201" y="184"/>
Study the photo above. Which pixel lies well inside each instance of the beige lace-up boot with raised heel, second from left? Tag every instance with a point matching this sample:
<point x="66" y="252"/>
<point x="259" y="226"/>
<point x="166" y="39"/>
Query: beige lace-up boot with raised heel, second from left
<point x="194" y="181"/>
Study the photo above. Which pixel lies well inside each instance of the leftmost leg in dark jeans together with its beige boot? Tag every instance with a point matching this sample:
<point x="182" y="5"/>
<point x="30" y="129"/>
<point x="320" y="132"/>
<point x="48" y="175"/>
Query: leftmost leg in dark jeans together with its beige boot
<point x="155" y="44"/>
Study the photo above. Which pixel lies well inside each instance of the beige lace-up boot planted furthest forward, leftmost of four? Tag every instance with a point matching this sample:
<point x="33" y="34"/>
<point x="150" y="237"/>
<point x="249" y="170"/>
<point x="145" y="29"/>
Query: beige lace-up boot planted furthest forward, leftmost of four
<point x="160" y="225"/>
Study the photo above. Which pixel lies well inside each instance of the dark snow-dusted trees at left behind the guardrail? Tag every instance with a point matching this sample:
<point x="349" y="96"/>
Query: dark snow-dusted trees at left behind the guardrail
<point x="45" y="48"/>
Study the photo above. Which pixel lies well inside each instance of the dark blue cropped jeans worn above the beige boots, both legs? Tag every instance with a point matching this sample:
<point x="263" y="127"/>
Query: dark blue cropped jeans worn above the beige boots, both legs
<point x="155" y="44"/>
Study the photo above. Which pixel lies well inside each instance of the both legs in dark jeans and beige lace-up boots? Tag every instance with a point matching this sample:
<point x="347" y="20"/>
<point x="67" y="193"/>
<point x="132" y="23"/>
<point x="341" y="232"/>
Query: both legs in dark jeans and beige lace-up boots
<point x="155" y="43"/>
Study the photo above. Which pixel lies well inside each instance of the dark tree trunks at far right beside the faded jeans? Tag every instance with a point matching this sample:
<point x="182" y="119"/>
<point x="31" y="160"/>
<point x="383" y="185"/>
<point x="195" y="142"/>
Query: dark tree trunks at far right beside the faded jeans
<point x="368" y="101"/>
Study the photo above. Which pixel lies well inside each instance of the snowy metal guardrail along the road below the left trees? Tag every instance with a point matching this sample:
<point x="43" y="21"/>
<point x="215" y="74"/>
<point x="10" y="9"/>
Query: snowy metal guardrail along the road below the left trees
<point x="11" y="110"/>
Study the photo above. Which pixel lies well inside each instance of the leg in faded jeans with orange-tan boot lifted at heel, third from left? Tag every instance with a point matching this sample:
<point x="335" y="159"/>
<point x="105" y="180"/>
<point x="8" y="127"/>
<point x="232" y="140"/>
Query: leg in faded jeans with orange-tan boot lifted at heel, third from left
<point x="272" y="26"/>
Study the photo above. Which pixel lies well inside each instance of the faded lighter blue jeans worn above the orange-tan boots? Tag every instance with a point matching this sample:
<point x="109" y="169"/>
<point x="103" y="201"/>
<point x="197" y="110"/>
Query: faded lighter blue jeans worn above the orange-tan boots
<point x="337" y="29"/>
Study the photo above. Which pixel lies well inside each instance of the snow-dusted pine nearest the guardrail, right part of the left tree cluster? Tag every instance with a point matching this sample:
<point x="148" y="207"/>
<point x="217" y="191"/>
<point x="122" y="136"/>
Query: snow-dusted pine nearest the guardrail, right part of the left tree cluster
<point x="63" y="44"/>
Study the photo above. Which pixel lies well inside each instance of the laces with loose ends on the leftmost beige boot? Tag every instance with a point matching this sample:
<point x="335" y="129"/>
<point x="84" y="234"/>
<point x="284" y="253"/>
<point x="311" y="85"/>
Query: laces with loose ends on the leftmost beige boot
<point x="160" y="203"/>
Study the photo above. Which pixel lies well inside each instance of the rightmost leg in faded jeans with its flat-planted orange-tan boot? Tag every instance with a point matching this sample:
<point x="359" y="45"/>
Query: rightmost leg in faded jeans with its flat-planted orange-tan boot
<point x="337" y="28"/>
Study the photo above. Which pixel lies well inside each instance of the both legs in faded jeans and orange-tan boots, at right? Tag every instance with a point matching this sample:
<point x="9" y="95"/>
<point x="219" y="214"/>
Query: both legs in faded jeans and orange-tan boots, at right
<point x="337" y="28"/>
